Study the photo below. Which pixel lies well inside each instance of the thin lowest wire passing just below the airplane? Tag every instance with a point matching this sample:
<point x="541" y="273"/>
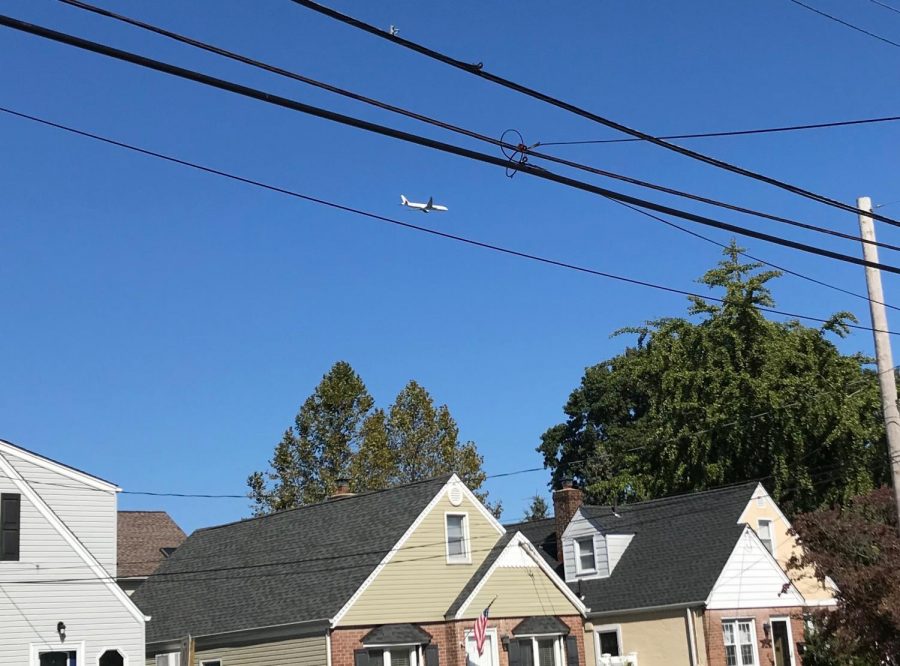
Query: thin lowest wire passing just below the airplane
<point x="408" y="225"/>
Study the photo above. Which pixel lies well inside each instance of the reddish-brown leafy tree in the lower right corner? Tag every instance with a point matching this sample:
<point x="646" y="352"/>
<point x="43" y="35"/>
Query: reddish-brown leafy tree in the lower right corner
<point x="857" y="547"/>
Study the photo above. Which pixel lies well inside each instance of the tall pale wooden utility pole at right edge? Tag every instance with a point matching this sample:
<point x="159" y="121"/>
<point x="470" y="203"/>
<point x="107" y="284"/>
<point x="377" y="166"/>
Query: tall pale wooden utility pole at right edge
<point x="882" y="345"/>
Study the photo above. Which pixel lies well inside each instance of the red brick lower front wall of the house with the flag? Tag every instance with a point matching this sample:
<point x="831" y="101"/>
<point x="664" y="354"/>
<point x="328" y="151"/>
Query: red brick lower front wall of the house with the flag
<point x="449" y="637"/>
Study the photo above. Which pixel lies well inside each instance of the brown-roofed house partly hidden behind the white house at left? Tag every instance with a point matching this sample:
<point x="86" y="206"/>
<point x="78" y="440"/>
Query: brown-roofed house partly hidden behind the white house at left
<point x="145" y="539"/>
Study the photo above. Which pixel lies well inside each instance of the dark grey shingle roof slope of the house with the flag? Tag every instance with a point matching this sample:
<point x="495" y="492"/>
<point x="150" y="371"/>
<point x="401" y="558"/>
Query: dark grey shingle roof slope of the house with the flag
<point x="293" y="566"/>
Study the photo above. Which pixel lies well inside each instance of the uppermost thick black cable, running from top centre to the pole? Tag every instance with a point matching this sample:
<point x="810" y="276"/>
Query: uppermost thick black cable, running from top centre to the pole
<point x="478" y="70"/>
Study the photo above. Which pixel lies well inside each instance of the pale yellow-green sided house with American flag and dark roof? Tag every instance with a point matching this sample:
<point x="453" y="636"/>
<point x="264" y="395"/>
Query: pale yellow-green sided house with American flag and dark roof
<point x="387" y="578"/>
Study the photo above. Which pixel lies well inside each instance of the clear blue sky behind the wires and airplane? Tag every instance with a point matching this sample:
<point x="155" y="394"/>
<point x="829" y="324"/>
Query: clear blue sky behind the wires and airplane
<point x="162" y="326"/>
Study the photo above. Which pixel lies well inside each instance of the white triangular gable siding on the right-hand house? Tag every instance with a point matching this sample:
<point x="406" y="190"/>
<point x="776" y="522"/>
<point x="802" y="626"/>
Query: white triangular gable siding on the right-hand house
<point x="752" y="579"/>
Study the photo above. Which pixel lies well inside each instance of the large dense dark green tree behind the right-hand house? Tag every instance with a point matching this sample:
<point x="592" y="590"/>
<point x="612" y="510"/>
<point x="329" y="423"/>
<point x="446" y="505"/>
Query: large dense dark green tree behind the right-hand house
<point x="724" y="396"/>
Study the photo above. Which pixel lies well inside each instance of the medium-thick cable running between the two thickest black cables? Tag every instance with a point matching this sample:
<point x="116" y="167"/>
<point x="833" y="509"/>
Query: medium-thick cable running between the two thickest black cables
<point x="454" y="128"/>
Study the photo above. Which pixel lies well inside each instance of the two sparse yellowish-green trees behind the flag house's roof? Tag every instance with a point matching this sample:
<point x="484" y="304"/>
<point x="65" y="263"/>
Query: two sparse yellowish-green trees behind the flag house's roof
<point x="338" y="433"/>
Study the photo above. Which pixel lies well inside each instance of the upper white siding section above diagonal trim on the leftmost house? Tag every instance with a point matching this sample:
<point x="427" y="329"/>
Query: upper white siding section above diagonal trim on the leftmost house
<point x="88" y="512"/>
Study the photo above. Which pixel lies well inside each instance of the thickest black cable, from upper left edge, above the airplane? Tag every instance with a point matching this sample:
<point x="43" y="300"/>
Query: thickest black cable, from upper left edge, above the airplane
<point x="358" y="123"/>
